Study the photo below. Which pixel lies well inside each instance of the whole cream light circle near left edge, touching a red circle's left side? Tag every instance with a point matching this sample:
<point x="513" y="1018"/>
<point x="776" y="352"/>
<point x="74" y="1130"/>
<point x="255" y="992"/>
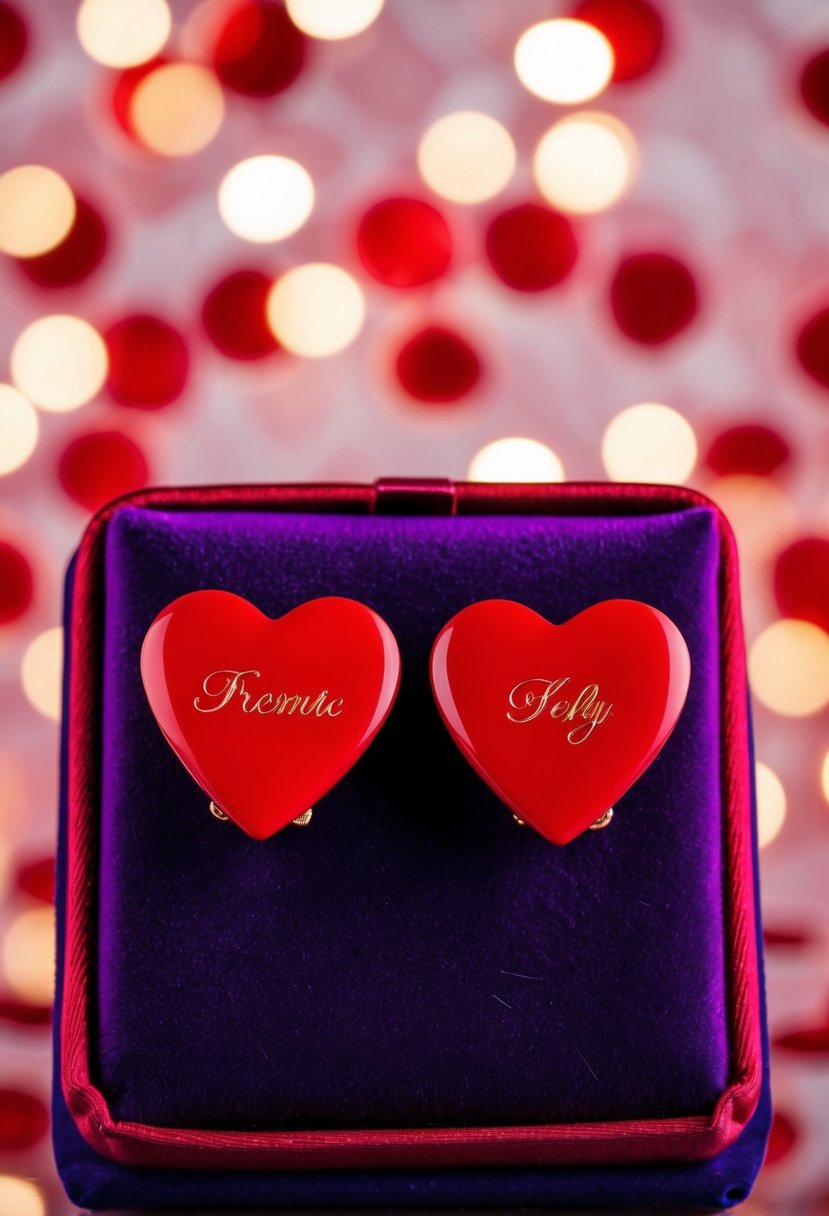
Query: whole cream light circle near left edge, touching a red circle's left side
<point x="60" y="363"/>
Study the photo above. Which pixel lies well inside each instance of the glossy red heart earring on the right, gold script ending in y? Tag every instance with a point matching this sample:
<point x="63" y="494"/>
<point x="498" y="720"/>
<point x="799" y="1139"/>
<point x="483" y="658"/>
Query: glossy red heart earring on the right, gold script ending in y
<point x="561" y="720"/>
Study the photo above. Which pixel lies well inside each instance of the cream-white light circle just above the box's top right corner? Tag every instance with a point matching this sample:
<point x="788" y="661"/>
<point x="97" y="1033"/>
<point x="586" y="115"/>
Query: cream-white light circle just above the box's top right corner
<point x="650" y="443"/>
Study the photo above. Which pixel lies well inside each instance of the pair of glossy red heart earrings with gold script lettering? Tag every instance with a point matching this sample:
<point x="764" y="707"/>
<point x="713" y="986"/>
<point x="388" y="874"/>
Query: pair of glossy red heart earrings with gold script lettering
<point x="560" y="720"/>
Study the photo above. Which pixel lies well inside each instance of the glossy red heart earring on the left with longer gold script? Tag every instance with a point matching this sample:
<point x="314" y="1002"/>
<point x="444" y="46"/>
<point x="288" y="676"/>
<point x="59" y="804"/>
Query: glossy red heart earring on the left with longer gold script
<point x="268" y="716"/>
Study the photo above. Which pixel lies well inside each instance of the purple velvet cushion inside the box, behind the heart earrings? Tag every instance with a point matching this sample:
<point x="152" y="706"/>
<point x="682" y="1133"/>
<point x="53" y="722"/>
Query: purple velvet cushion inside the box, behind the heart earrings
<point x="413" y="958"/>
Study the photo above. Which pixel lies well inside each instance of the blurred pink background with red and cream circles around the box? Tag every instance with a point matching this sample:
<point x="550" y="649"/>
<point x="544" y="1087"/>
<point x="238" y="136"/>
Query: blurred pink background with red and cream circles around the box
<point x="339" y="239"/>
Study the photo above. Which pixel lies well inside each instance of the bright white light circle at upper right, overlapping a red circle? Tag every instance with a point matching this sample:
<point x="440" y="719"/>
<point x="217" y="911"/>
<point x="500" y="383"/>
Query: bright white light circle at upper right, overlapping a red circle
<point x="565" y="61"/>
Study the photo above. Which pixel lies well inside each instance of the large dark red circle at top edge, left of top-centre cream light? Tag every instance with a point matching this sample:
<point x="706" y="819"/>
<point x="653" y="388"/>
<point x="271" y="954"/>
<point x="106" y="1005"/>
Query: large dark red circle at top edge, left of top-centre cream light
<point x="257" y="50"/>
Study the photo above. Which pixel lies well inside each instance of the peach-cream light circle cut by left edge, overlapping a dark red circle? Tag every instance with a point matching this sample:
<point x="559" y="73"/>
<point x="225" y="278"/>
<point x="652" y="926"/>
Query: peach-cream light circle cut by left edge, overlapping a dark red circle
<point x="37" y="210"/>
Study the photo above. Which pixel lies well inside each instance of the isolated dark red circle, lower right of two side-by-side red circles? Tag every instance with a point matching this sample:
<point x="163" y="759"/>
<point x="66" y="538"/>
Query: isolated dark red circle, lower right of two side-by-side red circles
<point x="653" y="297"/>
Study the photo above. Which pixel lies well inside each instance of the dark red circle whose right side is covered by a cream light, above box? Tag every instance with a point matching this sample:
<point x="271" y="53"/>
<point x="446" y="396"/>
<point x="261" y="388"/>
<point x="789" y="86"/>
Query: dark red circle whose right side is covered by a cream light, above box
<point x="234" y="316"/>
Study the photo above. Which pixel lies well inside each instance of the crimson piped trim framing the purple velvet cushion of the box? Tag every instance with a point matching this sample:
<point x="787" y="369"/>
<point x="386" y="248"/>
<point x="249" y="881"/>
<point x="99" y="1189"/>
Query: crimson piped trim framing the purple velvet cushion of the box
<point x="685" y="1139"/>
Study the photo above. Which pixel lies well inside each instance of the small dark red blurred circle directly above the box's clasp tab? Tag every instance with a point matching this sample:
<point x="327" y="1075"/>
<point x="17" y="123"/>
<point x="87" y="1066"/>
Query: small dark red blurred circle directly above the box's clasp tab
<point x="438" y="367"/>
